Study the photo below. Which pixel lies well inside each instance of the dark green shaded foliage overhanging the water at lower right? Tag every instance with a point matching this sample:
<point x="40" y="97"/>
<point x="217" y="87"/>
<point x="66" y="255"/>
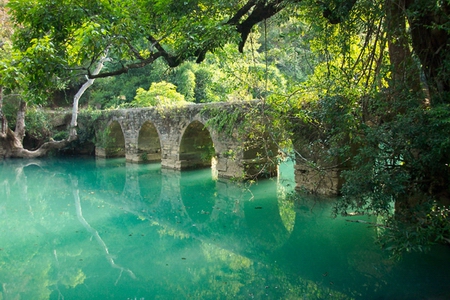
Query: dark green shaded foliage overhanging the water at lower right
<point x="402" y="164"/>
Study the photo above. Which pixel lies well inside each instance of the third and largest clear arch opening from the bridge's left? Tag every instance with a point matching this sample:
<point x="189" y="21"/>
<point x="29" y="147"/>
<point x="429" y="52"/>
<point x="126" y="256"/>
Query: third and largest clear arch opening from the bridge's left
<point x="196" y="147"/>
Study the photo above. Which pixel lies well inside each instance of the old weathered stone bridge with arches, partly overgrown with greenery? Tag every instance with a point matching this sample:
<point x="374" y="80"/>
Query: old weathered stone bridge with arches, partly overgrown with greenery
<point x="183" y="138"/>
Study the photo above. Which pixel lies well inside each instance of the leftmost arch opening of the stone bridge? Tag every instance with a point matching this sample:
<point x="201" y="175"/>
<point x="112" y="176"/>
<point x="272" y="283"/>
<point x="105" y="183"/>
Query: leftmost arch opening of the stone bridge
<point x="113" y="141"/>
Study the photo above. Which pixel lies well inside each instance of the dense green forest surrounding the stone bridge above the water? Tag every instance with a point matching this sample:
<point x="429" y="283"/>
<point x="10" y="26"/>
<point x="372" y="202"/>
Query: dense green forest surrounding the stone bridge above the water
<point x="364" y="83"/>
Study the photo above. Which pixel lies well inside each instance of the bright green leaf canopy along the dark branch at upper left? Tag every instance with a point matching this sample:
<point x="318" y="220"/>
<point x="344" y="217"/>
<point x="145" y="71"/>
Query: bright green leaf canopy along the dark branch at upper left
<point x="55" y="43"/>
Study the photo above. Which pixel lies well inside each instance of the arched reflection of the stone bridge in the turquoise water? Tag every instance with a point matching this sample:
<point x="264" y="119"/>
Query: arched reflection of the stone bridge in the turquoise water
<point x="195" y="203"/>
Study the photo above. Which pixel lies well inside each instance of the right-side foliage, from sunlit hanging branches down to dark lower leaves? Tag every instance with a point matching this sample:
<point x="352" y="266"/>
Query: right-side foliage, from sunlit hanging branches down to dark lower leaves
<point x="391" y="146"/>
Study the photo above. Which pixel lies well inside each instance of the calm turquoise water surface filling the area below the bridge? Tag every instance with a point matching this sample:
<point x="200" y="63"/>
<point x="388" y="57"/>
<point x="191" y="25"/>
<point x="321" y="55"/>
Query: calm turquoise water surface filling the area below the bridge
<point x="104" y="229"/>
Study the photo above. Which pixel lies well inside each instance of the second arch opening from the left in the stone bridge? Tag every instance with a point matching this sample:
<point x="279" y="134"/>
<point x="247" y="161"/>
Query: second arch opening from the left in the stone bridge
<point x="149" y="143"/>
